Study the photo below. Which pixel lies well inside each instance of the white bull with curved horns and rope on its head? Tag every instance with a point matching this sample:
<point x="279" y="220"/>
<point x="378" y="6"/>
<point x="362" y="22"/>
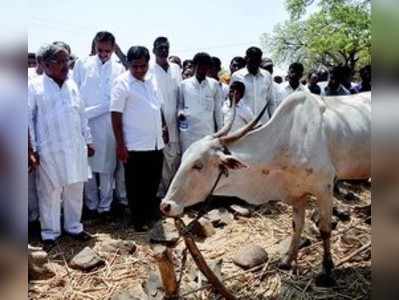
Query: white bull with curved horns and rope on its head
<point x="309" y="141"/>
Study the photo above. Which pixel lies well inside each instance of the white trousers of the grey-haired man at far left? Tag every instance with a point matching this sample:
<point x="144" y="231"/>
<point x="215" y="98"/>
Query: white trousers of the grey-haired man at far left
<point x="50" y="200"/>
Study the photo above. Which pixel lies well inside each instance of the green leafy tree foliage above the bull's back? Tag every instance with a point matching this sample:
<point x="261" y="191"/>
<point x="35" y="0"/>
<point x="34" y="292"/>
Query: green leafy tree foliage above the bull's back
<point x="335" y="32"/>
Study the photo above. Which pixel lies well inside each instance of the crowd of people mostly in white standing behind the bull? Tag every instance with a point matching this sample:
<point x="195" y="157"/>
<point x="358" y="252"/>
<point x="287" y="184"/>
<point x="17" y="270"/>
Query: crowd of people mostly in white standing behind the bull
<point x="109" y="130"/>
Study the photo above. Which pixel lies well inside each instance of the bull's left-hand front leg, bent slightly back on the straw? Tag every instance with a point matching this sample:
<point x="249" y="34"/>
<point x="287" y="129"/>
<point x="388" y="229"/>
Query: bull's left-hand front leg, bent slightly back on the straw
<point x="298" y="222"/>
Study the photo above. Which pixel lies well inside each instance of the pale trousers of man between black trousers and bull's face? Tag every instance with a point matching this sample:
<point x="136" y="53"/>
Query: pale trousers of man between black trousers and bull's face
<point x="171" y="163"/>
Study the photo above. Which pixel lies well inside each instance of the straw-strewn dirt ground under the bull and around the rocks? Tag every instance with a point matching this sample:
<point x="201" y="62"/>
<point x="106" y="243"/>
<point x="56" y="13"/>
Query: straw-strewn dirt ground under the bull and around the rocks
<point x="267" y="227"/>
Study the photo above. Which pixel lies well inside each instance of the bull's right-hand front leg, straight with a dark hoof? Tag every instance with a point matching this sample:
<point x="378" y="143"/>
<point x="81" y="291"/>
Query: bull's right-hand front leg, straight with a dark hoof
<point x="325" y="206"/>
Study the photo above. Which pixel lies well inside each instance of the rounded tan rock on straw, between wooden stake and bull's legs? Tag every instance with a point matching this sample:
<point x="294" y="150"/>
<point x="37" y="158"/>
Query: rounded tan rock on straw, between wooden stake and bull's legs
<point x="250" y="256"/>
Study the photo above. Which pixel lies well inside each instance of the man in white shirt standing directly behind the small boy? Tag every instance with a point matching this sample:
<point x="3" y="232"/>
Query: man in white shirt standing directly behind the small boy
<point x="258" y="83"/>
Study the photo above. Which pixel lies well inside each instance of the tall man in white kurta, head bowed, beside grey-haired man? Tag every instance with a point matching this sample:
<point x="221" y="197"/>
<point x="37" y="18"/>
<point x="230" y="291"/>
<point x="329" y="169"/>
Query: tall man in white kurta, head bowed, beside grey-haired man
<point x="94" y="76"/>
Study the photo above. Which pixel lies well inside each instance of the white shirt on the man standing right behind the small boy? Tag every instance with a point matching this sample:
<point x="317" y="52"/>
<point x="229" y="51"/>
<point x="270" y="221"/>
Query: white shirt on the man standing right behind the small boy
<point x="258" y="90"/>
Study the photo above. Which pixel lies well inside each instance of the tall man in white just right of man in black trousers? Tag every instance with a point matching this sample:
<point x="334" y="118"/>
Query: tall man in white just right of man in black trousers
<point x="166" y="78"/>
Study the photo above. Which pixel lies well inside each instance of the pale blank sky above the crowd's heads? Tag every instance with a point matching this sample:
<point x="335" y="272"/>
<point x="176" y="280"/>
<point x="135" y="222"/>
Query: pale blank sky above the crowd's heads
<point x="223" y="28"/>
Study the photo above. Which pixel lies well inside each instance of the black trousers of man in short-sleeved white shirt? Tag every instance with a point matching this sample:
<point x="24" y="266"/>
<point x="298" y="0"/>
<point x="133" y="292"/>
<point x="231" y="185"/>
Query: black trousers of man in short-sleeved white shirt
<point x="143" y="172"/>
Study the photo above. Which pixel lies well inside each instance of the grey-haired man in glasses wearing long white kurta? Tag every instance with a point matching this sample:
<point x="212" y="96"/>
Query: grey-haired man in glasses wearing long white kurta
<point x="61" y="138"/>
